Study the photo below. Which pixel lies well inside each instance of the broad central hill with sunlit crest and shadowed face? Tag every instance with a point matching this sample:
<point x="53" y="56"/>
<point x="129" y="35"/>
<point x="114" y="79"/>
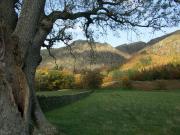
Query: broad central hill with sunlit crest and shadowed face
<point x="104" y="56"/>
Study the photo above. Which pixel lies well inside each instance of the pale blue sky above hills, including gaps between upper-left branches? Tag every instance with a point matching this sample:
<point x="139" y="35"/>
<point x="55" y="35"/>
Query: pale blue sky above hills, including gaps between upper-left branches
<point x="111" y="37"/>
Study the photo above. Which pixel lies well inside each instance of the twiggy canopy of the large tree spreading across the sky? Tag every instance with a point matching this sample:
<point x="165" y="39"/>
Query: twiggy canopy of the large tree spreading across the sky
<point x="59" y="16"/>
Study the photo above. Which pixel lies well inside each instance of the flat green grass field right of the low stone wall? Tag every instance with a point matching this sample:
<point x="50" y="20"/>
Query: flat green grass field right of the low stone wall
<point x="121" y="112"/>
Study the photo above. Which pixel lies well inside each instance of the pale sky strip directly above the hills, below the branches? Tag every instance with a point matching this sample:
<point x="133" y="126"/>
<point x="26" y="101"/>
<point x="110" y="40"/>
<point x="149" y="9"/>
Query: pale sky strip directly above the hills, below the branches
<point x="115" y="38"/>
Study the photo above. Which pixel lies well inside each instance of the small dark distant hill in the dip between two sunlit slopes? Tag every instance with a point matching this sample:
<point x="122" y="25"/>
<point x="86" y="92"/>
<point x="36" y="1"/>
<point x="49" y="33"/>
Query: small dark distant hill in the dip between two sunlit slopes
<point x="132" y="48"/>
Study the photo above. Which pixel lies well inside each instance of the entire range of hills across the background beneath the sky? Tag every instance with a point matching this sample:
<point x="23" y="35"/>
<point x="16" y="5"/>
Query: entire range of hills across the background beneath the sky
<point x="107" y="56"/>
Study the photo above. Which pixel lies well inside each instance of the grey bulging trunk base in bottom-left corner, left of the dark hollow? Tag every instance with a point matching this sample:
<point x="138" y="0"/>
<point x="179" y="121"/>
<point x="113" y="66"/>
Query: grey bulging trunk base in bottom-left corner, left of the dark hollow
<point x="11" y="122"/>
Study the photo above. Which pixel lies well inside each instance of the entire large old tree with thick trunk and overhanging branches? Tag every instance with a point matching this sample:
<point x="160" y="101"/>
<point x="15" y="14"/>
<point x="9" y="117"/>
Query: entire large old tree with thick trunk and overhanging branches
<point x="27" y="25"/>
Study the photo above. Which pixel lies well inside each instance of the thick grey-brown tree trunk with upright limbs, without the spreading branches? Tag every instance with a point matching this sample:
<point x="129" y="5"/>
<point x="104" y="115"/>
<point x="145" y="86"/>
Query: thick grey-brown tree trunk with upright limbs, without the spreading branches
<point x="20" y="42"/>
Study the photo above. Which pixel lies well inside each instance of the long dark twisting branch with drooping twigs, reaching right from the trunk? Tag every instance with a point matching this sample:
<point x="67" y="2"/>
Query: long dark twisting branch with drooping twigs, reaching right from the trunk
<point x="114" y="14"/>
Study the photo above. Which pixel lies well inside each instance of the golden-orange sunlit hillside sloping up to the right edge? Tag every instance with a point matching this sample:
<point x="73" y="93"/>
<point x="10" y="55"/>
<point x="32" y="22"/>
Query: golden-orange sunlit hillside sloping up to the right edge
<point x="159" y="51"/>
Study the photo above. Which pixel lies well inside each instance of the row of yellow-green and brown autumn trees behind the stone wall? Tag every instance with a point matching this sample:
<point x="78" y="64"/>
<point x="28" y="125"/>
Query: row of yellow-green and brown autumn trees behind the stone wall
<point x="64" y="79"/>
